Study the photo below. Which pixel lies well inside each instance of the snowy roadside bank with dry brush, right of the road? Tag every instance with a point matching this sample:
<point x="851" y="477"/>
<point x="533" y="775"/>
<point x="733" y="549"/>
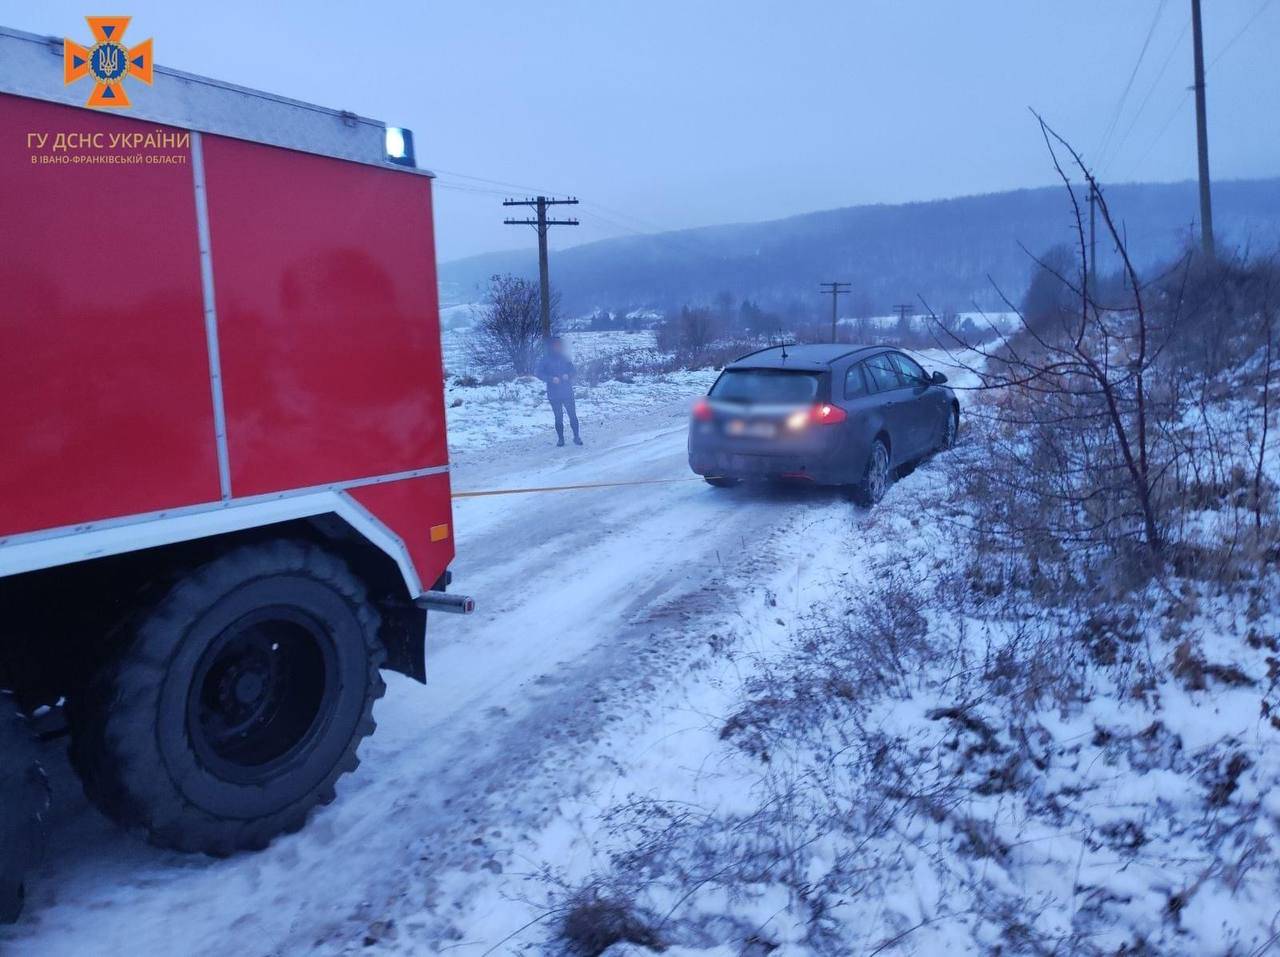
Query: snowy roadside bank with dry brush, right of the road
<point x="877" y="752"/>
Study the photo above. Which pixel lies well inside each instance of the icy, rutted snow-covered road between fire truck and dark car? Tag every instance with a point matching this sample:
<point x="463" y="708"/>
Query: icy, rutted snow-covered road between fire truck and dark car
<point x="588" y="602"/>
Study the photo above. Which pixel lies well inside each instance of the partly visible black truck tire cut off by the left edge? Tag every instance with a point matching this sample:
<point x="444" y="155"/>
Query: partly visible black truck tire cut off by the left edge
<point x="24" y="803"/>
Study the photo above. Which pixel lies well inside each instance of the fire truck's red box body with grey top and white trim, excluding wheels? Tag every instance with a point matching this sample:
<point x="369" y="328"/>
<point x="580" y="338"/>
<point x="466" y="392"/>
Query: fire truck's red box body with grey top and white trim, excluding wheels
<point x="184" y="345"/>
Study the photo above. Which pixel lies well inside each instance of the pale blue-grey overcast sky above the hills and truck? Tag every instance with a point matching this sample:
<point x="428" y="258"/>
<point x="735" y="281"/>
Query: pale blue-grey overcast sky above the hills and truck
<point x="662" y="115"/>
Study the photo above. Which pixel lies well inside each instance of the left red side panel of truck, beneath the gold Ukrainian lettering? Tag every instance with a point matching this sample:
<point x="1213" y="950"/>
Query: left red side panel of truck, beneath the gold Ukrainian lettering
<point x="104" y="374"/>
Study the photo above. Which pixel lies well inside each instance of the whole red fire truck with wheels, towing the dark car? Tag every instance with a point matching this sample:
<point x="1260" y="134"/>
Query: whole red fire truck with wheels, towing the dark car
<point x="225" y="483"/>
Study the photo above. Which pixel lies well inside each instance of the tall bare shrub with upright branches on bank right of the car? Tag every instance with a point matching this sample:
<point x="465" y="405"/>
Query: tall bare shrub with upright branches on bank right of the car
<point x="1112" y="428"/>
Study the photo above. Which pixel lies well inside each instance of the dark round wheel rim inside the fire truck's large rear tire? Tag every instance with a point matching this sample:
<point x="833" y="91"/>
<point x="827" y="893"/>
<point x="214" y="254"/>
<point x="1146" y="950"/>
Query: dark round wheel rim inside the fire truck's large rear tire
<point x="258" y="698"/>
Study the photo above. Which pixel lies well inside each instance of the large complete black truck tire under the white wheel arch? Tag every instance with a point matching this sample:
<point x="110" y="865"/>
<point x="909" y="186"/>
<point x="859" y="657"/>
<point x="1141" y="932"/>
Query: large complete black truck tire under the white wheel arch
<point x="236" y="700"/>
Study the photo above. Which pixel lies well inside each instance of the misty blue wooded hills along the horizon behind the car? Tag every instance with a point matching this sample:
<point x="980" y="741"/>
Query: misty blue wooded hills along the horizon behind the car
<point x="949" y="251"/>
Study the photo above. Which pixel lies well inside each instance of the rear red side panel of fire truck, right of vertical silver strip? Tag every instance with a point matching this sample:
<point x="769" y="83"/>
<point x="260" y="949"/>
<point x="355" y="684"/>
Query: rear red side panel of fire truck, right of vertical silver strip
<point x="331" y="350"/>
